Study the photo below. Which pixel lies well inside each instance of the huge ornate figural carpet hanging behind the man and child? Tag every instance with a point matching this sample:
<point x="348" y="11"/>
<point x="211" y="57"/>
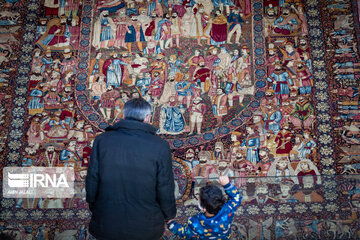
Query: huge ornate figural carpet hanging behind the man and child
<point x="264" y="91"/>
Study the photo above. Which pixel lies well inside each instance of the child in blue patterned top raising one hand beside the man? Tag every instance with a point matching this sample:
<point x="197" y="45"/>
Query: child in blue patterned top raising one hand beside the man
<point x="215" y="220"/>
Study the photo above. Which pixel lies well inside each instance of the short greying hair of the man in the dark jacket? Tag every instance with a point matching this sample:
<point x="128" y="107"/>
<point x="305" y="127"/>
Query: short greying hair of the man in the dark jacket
<point x="137" y="109"/>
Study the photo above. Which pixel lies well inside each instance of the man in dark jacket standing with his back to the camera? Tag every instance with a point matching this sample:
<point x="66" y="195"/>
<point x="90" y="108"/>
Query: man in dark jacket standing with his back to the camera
<point x="130" y="182"/>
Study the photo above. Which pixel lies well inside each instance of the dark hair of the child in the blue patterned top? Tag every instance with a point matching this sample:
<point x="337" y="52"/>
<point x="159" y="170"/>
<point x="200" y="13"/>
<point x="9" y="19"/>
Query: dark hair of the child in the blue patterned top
<point x="211" y="198"/>
